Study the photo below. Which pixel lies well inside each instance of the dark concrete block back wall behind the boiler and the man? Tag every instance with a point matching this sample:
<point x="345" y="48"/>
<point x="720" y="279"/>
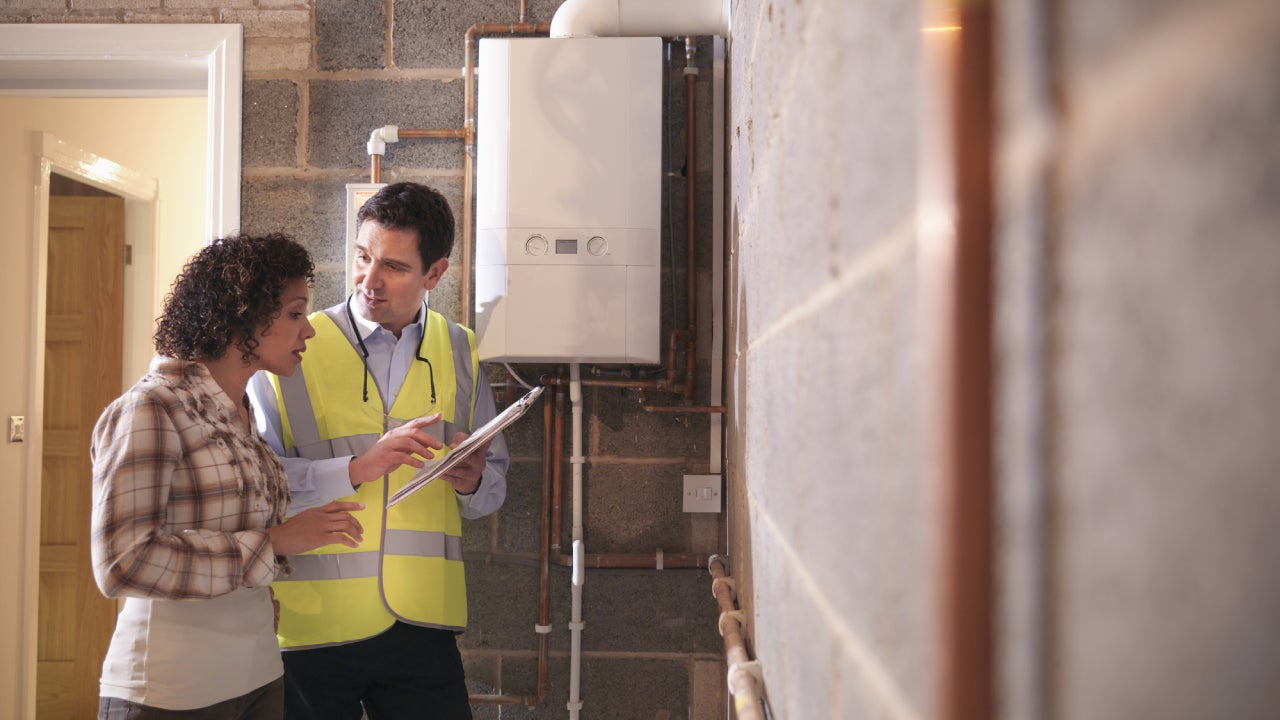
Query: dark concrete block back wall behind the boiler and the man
<point x="319" y="78"/>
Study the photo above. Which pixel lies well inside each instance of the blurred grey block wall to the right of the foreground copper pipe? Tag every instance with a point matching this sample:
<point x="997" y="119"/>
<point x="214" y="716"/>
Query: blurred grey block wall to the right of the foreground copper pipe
<point x="1140" y="280"/>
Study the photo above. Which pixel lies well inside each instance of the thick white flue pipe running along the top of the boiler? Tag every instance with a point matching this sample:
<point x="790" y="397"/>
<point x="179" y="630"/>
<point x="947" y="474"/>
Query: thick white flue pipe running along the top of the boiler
<point x="641" y="19"/>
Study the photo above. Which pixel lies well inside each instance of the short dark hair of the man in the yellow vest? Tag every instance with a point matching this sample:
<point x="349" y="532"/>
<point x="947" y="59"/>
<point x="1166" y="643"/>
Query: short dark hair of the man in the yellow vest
<point x="410" y="206"/>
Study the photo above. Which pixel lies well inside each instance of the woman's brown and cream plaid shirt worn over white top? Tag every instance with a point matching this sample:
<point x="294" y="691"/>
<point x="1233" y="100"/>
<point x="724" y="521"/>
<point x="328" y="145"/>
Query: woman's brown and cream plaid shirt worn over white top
<point x="182" y="491"/>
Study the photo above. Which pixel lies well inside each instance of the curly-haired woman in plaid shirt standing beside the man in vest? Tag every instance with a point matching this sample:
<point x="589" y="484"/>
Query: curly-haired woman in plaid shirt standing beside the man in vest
<point x="190" y="504"/>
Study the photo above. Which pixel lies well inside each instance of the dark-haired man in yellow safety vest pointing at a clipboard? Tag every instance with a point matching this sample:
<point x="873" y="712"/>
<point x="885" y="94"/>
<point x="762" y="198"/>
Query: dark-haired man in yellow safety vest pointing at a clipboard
<point x="386" y="380"/>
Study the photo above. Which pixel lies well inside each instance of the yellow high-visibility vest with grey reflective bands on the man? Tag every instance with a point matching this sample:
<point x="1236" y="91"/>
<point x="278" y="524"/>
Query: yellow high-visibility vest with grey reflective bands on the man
<point x="410" y="564"/>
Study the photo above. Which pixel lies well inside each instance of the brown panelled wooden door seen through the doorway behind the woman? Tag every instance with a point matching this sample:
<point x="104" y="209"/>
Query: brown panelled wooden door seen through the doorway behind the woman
<point x="84" y="321"/>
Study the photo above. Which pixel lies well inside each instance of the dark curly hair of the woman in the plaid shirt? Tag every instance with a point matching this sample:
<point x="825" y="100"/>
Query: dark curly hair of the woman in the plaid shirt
<point x="227" y="293"/>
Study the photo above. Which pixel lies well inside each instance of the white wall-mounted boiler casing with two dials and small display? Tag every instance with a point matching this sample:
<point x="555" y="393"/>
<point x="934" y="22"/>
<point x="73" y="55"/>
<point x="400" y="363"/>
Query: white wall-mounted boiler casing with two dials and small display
<point x="568" y="200"/>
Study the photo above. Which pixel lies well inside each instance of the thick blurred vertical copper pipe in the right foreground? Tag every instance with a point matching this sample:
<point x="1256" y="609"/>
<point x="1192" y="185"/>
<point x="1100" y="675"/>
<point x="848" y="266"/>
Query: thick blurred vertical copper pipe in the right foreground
<point x="968" y="614"/>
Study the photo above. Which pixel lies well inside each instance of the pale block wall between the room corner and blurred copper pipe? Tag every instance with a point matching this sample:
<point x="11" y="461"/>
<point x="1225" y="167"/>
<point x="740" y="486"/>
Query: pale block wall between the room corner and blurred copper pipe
<point x="834" y="520"/>
